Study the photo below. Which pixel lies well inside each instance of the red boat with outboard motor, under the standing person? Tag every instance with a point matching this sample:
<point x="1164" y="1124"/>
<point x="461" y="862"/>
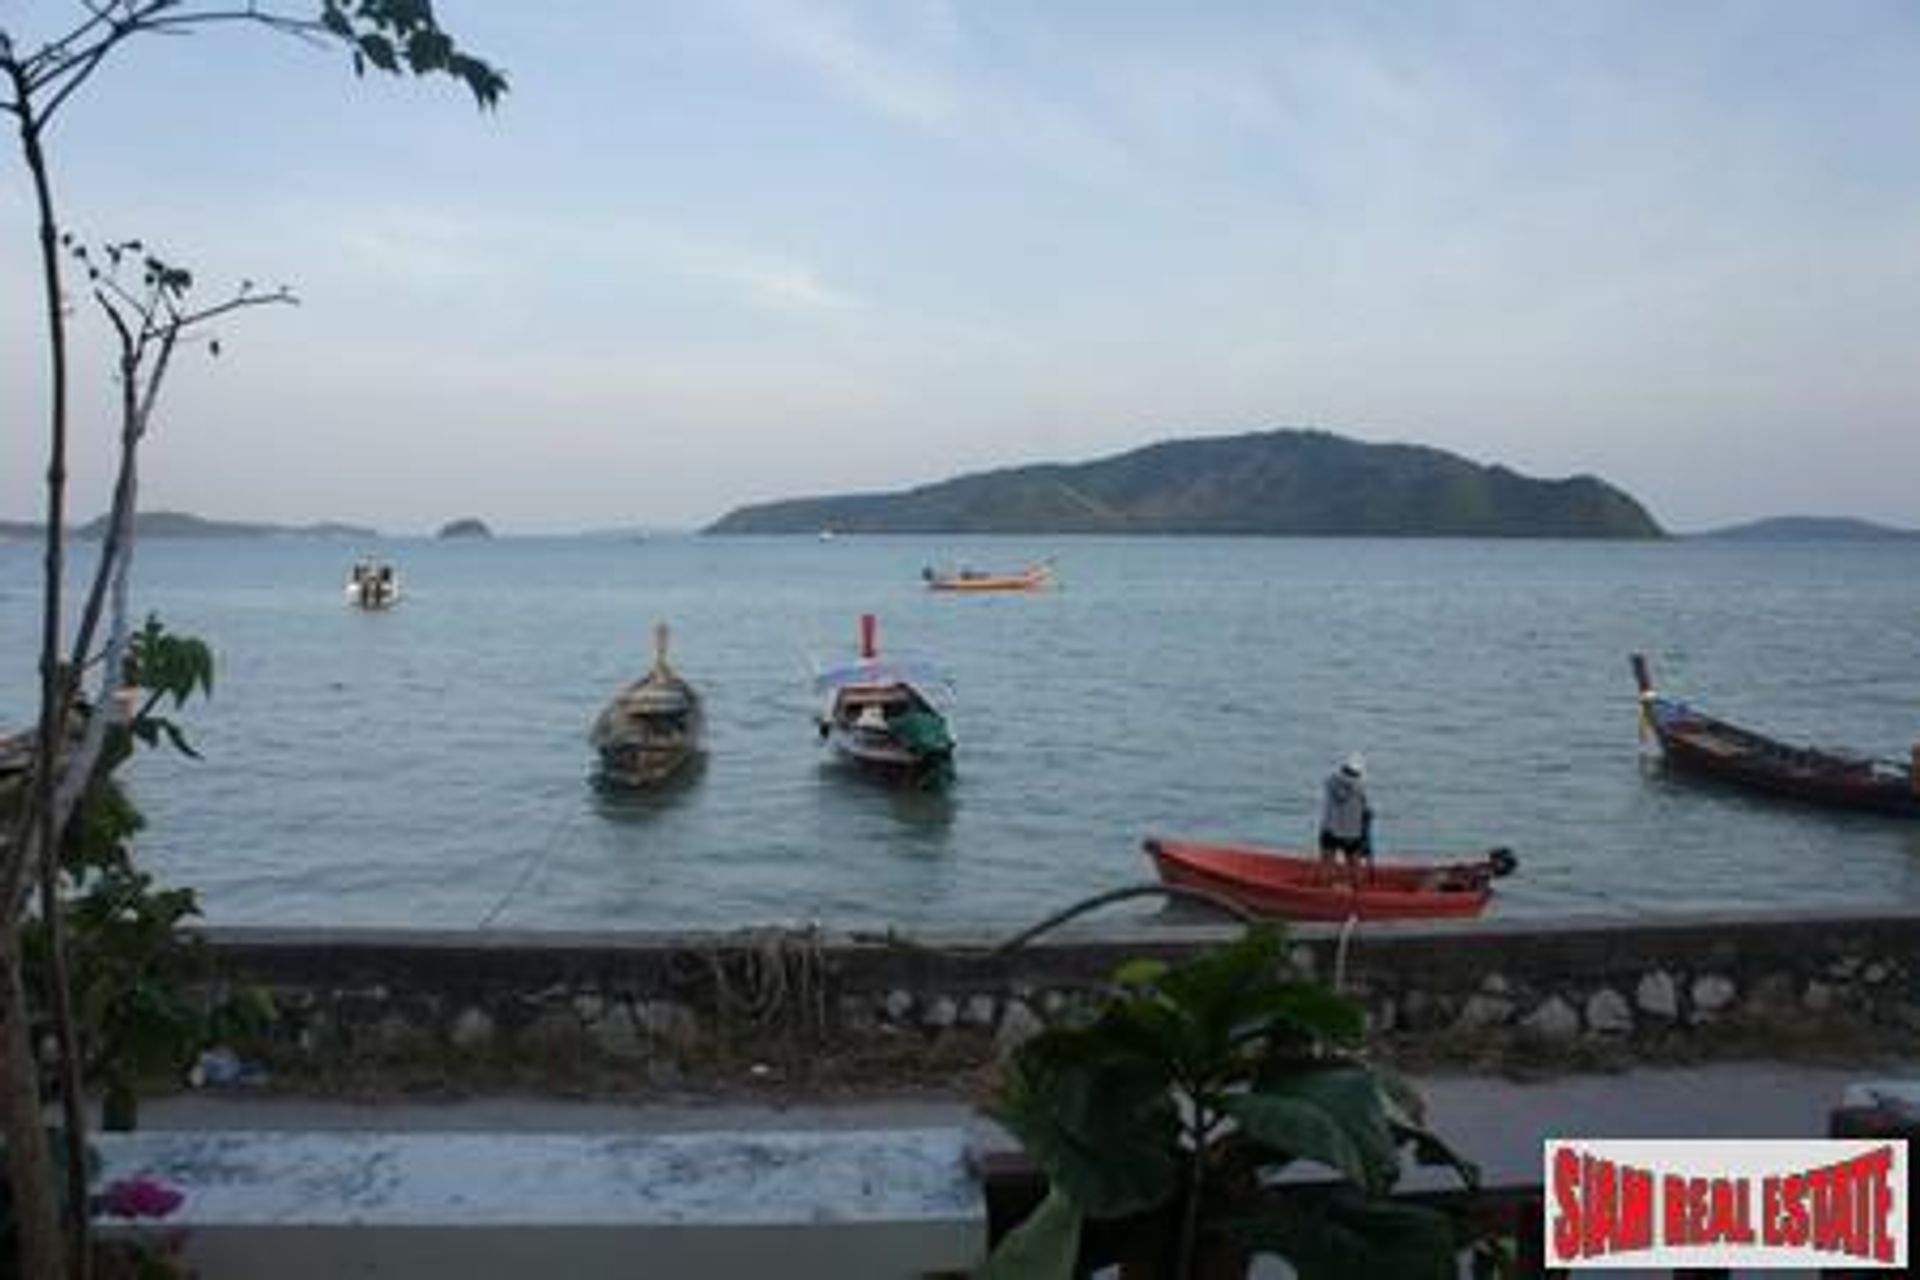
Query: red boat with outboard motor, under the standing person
<point x="1297" y="886"/>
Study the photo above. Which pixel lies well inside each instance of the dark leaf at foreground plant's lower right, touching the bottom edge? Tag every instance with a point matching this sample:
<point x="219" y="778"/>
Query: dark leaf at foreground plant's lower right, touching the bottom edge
<point x="1332" y="1237"/>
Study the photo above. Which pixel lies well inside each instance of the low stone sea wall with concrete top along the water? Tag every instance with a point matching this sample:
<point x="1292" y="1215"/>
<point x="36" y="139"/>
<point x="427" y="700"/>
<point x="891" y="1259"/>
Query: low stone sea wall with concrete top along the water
<point x="612" y="1012"/>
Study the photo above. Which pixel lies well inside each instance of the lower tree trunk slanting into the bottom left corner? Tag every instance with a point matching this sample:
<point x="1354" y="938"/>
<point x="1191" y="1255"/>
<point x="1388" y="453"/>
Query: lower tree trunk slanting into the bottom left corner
<point x="30" y="1166"/>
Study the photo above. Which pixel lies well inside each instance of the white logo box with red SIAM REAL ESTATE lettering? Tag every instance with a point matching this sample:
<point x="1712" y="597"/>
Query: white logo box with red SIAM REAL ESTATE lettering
<point x="1756" y="1204"/>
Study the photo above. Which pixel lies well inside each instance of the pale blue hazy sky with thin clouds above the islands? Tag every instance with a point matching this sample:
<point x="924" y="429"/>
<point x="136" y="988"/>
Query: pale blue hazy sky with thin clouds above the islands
<point x="711" y="254"/>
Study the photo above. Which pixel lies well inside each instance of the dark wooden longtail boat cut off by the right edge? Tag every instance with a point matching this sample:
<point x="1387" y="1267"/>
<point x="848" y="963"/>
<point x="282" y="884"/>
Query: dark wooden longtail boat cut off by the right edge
<point x="1698" y="744"/>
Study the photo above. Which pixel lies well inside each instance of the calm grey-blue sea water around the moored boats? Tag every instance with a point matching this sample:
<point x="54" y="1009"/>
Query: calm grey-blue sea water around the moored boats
<point x="429" y="767"/>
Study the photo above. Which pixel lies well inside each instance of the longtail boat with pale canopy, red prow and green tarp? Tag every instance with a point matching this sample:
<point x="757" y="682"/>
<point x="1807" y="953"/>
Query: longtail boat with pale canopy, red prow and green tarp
<point x="878" y="715"/>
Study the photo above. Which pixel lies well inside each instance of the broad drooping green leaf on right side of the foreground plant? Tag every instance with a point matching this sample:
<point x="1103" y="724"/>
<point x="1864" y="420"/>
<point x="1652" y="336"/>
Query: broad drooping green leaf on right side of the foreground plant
<point x="1333" y="1118"/>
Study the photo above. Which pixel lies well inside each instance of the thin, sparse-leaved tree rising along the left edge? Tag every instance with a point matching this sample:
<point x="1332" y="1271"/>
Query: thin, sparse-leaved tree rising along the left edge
<point x="37" y="82"/>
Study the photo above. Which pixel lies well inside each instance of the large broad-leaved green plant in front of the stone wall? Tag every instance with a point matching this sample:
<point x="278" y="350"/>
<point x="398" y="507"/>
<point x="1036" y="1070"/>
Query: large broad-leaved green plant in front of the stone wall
<point x="1178" y="1108"/>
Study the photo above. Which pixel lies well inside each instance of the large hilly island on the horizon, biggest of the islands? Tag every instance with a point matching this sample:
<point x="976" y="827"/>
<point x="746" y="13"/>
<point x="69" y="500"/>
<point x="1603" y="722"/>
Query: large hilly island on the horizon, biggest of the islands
<point x="1285" y="483"/>
